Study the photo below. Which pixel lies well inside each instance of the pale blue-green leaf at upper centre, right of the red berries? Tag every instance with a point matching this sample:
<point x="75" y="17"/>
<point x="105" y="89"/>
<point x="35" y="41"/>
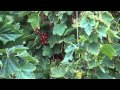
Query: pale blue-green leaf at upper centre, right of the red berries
<point x="59" y="29"/>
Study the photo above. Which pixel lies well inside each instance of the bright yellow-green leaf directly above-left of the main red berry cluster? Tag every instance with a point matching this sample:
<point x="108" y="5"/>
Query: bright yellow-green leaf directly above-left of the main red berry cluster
<point x="34" y="19"/>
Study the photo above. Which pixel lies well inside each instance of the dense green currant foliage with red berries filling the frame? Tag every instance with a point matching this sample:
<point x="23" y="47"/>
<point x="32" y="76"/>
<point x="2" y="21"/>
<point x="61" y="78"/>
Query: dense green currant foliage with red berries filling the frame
<point x="59" y="44"/>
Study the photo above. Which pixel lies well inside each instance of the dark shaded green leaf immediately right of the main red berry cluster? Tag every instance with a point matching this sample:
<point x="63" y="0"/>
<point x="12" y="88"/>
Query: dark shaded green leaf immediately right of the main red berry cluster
<point x="53" y="40"/>
